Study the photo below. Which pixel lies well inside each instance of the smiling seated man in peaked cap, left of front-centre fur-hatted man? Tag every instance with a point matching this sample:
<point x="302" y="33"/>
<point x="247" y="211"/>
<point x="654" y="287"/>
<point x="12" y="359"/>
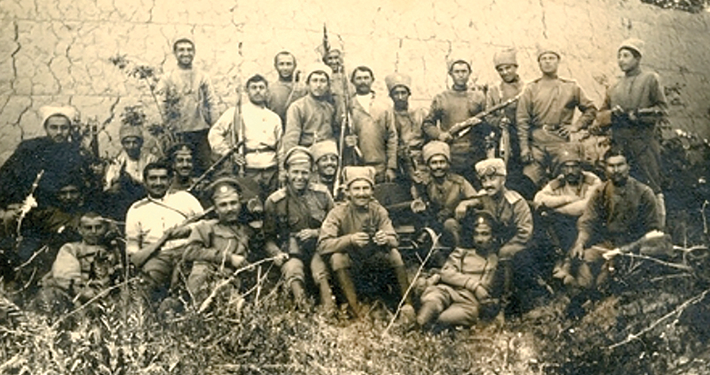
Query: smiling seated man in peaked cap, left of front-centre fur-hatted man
<point x="293" y="216"/>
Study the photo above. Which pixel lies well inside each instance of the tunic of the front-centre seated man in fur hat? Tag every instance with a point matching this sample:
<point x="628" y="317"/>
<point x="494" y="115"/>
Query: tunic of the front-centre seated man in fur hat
<point x="345" y="219"/>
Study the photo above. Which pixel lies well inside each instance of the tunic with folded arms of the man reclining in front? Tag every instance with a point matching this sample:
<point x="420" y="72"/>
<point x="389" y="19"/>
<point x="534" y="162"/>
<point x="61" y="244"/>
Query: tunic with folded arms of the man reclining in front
<point x="465" y="268"/>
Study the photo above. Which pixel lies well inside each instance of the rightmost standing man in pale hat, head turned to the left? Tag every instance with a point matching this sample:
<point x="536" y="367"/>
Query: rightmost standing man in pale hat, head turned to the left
<point x="632" y="107"/>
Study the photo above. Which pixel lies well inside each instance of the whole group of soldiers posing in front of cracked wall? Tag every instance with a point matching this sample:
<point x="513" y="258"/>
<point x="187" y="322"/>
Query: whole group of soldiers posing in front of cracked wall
<point x="291" y="172"/>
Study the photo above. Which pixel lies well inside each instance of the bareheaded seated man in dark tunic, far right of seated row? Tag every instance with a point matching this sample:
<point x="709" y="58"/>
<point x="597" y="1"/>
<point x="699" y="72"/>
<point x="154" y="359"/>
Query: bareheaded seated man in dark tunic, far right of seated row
<point x="619" y="212"/>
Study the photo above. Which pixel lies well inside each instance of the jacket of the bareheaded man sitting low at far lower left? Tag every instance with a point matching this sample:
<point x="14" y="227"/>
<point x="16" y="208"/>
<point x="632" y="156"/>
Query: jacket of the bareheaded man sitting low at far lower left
<point x="78" y="263"/>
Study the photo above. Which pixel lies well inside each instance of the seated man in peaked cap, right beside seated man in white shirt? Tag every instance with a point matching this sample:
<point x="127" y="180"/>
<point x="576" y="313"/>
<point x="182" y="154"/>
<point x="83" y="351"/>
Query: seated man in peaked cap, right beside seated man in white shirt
<point x="212" y="244"/>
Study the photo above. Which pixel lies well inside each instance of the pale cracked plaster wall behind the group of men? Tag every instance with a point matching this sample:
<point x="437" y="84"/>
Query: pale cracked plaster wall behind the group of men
<point x="57" y="51"/>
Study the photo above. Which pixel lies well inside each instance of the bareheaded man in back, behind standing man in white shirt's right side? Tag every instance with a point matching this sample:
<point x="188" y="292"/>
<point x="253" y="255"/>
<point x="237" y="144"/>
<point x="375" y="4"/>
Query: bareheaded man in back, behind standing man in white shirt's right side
<point x="284" y="90"/>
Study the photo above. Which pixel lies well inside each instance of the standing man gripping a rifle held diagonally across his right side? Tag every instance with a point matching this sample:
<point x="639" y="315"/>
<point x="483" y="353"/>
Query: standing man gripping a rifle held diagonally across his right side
<point x="454" y="106"/>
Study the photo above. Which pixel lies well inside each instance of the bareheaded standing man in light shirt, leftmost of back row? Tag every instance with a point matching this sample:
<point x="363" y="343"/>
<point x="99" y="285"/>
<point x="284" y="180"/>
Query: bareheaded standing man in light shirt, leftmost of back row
<point x="189" y="102"/>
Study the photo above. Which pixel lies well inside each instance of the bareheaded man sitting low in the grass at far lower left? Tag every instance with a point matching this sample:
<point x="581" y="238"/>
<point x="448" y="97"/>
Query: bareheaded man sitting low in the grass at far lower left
<point x="82" y="269"/>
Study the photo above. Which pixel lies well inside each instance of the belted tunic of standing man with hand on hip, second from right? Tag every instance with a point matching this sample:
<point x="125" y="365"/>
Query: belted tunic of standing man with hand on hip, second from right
<point x="550" y="104"/>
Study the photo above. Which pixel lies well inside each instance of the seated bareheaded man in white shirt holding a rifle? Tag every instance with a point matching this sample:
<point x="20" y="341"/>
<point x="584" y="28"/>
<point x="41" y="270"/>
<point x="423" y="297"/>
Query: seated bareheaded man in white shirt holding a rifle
<point x="156" y="227"/>
